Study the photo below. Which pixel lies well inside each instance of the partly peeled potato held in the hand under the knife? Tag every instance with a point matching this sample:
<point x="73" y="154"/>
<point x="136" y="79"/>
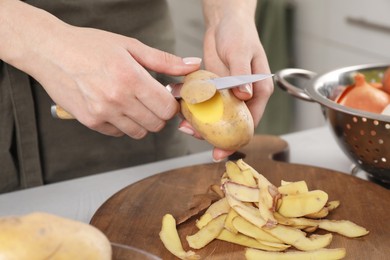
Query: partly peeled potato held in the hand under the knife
<point x="223" y="120"/>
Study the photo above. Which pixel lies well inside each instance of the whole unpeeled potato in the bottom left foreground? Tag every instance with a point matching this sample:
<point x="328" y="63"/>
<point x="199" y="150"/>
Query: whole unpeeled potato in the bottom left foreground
<point x="45" y="236"/>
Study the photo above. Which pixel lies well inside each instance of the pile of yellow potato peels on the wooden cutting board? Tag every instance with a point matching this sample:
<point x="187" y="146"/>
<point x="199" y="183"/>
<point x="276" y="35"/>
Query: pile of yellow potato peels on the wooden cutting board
<point x="271" y="222"/>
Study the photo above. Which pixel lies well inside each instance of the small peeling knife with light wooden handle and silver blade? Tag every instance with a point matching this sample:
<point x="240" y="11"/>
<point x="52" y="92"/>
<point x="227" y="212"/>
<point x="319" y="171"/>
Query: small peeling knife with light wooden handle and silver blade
<point x="174" y="88"/>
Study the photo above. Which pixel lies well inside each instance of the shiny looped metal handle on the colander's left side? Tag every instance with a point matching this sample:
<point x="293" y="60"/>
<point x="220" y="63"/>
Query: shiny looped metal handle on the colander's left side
<point x="280" y="79"/>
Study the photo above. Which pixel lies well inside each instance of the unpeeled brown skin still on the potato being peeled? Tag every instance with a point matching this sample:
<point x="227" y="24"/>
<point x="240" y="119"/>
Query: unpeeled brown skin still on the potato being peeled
<point x="234" y="129"/>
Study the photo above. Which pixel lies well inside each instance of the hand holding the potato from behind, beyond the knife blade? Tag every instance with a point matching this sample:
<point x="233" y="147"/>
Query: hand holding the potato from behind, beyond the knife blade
<point x="232" y="47"/>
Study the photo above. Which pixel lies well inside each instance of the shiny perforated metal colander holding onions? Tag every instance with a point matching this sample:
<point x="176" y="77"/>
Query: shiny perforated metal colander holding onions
<point x="364" y="137"/>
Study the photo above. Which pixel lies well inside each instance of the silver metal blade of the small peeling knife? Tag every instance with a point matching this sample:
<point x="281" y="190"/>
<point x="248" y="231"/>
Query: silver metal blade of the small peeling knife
<point x="223" y="82"/>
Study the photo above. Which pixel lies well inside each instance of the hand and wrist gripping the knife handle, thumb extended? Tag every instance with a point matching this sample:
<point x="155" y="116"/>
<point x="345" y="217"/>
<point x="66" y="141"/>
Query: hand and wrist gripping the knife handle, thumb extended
<point x="99" y="77"/>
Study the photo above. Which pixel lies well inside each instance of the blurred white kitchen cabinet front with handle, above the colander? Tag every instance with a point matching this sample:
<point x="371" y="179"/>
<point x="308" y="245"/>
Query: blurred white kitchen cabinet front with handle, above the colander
<point x="337" y="33"/>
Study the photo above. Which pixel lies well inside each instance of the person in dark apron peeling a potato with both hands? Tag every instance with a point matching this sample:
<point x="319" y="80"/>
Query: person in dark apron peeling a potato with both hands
<point x="104" y="62"/>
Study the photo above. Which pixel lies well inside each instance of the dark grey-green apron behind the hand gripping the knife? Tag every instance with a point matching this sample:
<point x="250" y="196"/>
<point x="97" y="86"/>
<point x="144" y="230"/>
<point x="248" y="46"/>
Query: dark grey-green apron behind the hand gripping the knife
<point x="36" y="149"/>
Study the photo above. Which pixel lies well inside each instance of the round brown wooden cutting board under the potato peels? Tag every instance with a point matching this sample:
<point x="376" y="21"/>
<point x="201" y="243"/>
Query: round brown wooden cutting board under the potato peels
<point x="133" y="215"/>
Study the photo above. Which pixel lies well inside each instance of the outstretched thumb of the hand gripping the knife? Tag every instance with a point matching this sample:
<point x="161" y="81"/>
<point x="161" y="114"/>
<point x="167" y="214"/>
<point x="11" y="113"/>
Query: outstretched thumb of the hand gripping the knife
<point x="161" y="61"/>
